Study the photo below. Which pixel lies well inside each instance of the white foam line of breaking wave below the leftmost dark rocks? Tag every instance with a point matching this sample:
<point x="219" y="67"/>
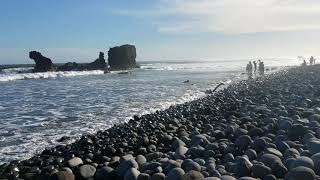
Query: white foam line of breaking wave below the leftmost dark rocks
<point x="45" y="75"/>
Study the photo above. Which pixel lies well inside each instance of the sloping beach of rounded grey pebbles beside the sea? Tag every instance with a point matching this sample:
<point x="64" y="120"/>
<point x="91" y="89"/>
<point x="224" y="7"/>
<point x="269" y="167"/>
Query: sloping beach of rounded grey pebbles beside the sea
<point x="266" y="128"/>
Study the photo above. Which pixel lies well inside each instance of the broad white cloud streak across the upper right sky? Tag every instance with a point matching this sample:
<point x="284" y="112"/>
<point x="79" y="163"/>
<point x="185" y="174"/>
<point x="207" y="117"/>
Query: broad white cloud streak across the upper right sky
<point x="231" y="16"/>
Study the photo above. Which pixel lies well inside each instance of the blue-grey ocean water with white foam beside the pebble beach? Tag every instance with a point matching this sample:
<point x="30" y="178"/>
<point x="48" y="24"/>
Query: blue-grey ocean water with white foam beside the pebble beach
<point x="37" y="109"/>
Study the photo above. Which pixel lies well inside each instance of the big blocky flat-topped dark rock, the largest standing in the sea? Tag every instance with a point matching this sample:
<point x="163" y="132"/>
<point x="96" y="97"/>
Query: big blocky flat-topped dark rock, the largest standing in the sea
<point x="122" y="57"/>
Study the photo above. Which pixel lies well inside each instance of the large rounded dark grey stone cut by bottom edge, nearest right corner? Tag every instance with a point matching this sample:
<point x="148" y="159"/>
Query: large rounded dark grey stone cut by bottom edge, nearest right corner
<point x="301" y="173"/>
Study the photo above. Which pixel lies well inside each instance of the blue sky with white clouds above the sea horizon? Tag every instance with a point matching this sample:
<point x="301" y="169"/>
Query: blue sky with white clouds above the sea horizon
<point x="77" y="30"/>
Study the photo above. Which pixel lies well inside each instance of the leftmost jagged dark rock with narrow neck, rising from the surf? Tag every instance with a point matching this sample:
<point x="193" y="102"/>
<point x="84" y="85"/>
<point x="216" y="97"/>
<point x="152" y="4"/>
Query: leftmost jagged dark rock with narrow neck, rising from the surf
<point x="43" y="64"/>
